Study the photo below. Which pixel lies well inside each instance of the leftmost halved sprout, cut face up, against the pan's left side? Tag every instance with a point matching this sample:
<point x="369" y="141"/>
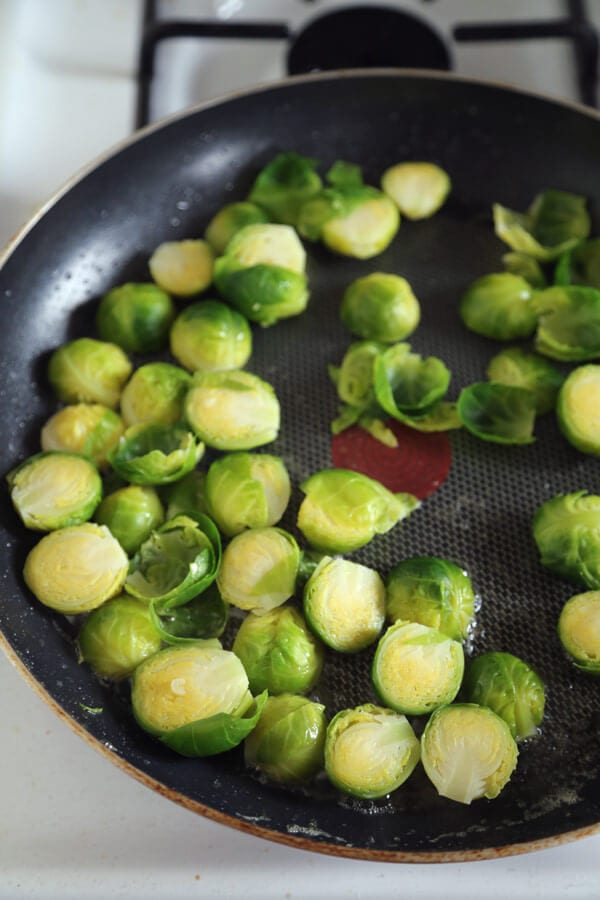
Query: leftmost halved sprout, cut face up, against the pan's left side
<point x="54" y="489"/>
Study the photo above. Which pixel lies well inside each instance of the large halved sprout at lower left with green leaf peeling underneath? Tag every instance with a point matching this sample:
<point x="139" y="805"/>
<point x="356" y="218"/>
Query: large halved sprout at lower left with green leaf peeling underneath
<point x="195" y="698"/>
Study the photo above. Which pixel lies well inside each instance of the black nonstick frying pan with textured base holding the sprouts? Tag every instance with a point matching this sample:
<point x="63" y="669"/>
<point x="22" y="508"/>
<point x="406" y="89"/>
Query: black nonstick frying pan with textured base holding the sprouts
<point x="498" y="145"/>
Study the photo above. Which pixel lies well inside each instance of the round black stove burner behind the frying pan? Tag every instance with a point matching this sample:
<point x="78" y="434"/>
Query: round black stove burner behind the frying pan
<point x="367" y="37"/>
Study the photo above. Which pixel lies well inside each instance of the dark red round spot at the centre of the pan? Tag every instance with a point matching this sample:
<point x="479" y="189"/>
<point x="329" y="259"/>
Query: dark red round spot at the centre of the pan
<point x="418" y="465"/>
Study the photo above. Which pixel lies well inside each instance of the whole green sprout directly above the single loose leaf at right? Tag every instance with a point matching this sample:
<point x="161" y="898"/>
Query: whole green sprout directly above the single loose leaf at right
<point x="519" y="368"/>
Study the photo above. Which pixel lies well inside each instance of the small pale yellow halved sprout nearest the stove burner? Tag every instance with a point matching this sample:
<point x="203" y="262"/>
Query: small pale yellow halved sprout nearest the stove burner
<point x="418" y="189"/>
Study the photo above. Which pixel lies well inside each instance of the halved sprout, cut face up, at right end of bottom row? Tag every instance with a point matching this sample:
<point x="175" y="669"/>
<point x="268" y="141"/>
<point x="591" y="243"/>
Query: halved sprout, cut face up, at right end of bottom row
<point x="468" y="752"/>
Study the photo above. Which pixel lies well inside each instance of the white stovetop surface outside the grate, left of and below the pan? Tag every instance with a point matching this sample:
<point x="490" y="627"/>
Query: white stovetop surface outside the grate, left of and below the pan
<point x="73" y="825"/>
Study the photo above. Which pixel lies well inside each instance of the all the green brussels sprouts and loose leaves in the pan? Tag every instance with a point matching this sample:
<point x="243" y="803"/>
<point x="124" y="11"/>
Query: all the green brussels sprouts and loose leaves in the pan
<point x="153" y="554"/>
